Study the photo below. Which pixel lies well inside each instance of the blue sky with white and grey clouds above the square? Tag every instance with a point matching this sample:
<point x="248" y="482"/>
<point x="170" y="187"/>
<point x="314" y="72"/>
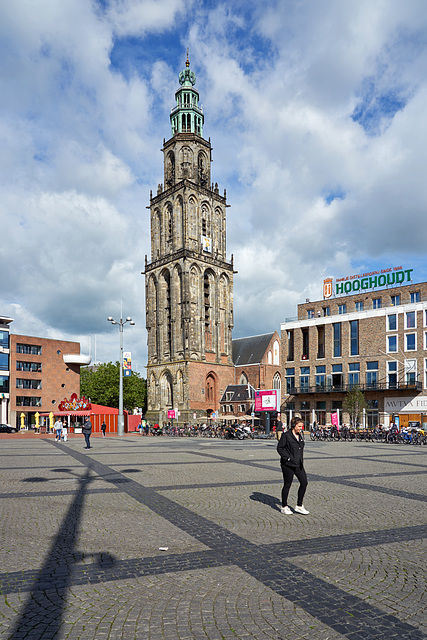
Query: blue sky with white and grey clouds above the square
<point x="316" y="110"/>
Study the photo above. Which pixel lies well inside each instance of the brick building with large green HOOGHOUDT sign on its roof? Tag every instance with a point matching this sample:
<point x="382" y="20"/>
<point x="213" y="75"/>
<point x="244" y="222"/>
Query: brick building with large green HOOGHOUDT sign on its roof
<point x="374" y="339"/>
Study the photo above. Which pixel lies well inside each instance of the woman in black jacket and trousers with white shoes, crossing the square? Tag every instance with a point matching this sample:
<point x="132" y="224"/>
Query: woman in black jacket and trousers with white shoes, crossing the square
<point x="291" y="450"/>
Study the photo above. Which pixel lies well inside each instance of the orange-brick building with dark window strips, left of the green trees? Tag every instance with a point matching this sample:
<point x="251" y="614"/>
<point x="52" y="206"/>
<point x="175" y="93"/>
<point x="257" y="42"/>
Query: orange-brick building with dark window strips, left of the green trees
<point x="42" y="373"/>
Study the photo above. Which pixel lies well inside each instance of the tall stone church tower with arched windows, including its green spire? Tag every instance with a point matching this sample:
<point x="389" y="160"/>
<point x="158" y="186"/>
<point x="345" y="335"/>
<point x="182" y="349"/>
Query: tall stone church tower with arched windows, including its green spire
<point x="189" y="283"/>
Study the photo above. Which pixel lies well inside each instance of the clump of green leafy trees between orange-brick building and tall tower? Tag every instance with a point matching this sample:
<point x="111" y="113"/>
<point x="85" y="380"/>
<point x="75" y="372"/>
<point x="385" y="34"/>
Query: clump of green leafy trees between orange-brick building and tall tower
<point x="101" y="386"/>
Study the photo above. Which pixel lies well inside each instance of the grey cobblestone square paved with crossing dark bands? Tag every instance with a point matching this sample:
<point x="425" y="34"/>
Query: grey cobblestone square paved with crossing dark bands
<point x="182" y="538"/>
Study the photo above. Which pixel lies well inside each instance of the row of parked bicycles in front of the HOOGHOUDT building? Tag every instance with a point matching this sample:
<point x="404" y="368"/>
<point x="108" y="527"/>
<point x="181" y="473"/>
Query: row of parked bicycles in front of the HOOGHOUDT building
<point x="405" y="436"/>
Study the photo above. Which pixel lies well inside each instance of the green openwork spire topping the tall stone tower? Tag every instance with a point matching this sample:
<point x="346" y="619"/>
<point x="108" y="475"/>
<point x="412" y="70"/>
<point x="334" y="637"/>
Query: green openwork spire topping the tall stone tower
<point x="187" y="116"/>
